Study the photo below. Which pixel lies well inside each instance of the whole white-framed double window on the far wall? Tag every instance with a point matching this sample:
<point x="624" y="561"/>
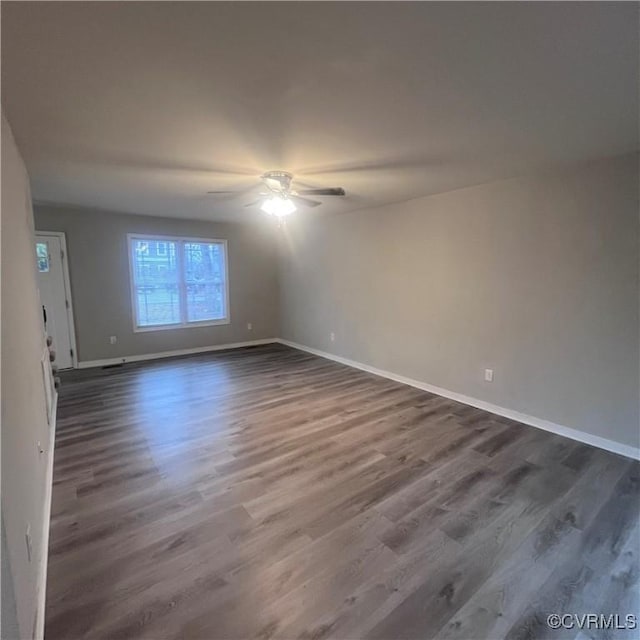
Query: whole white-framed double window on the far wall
<point x="178" y="282"/>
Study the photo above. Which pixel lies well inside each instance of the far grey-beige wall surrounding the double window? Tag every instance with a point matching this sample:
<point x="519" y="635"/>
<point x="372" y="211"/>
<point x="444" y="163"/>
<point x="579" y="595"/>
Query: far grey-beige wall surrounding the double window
<point x="99" y="271"/>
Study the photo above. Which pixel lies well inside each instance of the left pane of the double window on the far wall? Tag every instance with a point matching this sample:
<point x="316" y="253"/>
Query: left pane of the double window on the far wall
<point x="156" y="282"/>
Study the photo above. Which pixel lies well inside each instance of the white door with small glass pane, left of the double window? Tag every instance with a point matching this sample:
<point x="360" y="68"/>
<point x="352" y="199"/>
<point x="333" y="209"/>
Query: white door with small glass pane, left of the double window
<point x="54" y="296"/>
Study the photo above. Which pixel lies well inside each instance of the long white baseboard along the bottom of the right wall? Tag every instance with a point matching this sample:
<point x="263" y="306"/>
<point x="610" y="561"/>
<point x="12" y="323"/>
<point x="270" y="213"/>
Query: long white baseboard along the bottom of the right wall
<point x="574" y="434"/>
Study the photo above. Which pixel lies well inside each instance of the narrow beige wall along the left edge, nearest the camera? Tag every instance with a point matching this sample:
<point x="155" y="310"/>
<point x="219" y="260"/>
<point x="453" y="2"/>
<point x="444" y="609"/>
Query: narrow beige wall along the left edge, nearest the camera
<point x="25" y="472"/>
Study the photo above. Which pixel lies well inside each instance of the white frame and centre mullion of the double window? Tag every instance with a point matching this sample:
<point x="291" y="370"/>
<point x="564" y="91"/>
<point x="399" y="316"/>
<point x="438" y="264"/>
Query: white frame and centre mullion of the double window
<point x="183" y="324"/>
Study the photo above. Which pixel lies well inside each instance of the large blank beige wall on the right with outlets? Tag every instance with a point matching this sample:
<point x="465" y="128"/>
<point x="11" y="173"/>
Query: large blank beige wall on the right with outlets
<point x="536" y="278"/>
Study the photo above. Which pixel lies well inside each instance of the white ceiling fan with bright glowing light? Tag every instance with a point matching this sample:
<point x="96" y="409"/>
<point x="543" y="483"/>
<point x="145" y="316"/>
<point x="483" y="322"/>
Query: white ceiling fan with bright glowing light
<point x="280" y="199"/>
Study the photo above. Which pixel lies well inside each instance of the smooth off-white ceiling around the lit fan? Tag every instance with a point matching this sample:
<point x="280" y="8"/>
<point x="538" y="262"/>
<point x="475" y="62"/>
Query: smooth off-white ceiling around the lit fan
<point x="145" y="106"/>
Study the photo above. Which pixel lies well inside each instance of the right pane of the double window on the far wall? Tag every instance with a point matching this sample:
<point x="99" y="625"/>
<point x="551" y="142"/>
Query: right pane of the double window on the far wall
<point x="204" y="265"/>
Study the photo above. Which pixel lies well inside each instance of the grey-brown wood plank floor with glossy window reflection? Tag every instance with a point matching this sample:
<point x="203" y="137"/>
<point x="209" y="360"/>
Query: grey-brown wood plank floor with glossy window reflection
<point x="267" y="493"/>
